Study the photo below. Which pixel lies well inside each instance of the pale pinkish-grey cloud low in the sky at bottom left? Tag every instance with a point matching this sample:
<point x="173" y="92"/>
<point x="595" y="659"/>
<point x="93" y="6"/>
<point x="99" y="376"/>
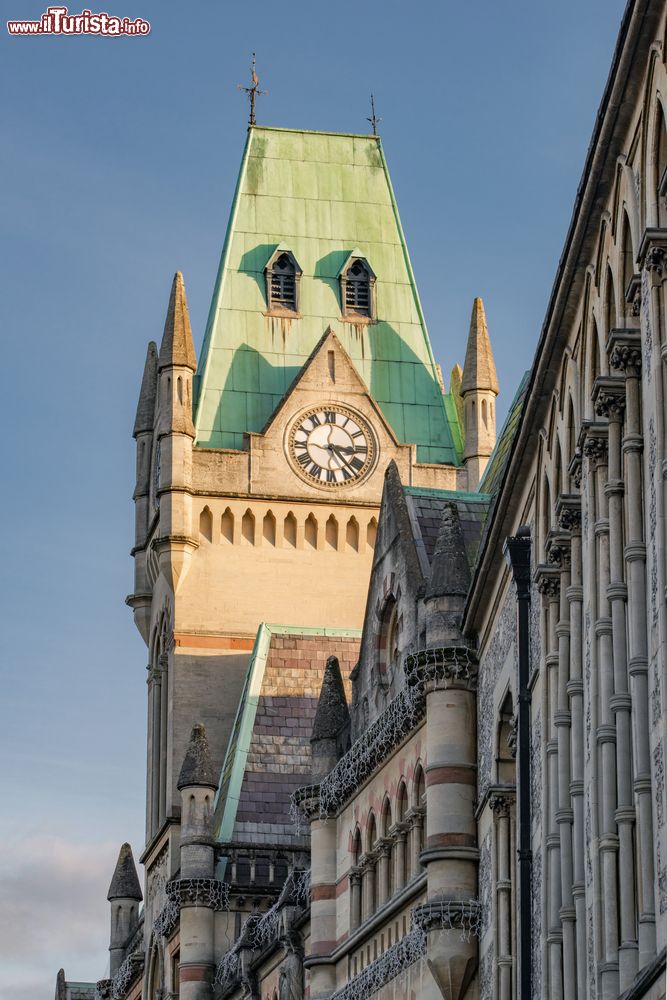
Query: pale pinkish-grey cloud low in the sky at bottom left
<point x="54" y="912"/>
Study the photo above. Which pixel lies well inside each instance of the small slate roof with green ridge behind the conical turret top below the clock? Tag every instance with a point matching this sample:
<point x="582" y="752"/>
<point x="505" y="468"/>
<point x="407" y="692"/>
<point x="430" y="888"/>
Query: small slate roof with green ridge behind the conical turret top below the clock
<point x="428" y="506"/>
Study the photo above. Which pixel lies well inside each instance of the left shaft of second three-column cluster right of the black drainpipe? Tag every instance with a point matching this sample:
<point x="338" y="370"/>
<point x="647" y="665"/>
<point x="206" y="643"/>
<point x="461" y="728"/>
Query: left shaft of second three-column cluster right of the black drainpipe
<point x="595" y="450"/>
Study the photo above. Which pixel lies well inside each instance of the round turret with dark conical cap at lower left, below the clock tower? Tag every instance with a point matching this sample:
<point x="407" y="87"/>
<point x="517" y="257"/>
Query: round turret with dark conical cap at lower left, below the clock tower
<point x="197" y="783"/>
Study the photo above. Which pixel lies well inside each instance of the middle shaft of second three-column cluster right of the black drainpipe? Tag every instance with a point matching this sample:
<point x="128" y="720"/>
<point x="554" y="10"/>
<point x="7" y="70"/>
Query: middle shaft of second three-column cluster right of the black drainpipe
<point x="609" y="398"/>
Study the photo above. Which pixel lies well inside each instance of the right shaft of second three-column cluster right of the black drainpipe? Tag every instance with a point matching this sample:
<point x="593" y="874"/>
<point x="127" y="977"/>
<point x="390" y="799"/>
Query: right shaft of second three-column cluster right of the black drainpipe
<point x="626" y="357"/>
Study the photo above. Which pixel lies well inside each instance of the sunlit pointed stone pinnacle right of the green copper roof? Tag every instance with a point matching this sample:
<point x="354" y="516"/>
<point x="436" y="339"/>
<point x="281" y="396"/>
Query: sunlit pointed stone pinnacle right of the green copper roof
<point x="479" y="388"/>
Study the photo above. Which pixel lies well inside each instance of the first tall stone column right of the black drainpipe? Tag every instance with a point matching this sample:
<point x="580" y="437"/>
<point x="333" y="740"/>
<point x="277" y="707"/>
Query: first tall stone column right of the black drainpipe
<point x="548" y="584"/>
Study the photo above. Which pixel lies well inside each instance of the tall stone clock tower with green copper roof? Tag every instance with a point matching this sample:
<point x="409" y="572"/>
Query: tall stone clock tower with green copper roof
<point x="260" y="465"/>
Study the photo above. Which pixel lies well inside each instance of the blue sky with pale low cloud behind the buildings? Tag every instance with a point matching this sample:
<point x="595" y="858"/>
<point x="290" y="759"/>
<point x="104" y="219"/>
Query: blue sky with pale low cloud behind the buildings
<point x="119" y="163"/>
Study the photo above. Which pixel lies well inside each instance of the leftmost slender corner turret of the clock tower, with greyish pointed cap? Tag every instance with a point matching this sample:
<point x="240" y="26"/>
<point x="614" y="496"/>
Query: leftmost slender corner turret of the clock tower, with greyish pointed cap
<point x="143" y="435"/>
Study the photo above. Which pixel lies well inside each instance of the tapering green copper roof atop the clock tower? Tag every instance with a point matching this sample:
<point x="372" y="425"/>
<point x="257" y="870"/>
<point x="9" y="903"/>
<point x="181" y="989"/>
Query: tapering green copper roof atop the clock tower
<point x="324" y="196"/>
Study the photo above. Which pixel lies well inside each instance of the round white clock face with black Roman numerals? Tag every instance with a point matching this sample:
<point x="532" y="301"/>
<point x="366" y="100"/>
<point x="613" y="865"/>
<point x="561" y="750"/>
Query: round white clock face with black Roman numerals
<point x="332" y="446"/>
